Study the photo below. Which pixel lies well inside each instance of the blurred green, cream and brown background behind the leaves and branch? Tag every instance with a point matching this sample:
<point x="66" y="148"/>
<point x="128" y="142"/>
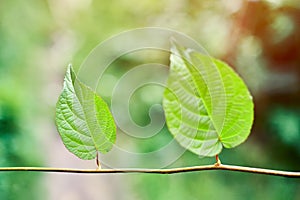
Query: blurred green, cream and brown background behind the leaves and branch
<point x="38" y="39"/>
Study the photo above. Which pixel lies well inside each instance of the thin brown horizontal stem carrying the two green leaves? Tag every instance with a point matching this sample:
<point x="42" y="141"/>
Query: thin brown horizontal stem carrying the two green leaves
<point x="159" y="171"/>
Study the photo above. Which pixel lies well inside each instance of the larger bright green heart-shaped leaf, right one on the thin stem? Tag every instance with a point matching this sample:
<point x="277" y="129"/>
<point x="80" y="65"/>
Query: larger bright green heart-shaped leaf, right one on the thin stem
<point x="207" y="105"/>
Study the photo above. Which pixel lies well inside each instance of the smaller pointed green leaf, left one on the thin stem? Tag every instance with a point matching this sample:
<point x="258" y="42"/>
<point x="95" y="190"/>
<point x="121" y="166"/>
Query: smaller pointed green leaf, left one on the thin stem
<point x="83" y="119"/>
